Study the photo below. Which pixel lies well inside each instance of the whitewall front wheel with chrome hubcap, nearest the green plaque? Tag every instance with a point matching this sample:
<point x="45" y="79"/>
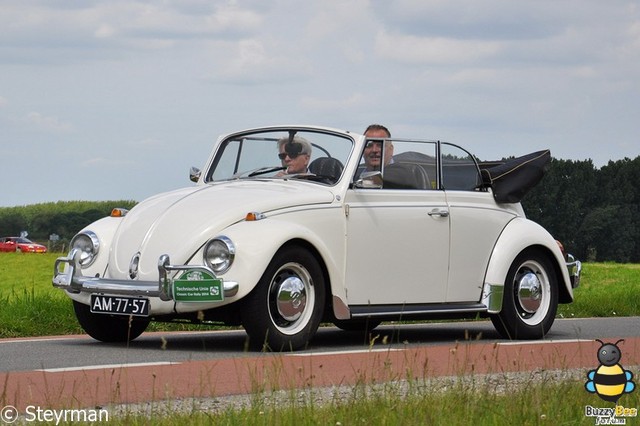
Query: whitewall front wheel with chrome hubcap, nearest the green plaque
<point x="284" y="310"/>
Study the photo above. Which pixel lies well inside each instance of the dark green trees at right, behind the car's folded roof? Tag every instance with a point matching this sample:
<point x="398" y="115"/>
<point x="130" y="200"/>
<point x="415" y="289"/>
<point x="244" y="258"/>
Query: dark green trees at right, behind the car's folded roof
<point x="593" y="212"/>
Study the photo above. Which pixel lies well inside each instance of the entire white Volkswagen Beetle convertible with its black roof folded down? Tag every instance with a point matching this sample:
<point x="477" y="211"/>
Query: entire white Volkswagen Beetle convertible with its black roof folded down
<point x="287" y="227"/>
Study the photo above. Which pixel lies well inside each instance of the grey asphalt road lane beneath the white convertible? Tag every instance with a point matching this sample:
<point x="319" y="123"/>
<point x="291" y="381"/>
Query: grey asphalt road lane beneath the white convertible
<point x="73" y="352"/>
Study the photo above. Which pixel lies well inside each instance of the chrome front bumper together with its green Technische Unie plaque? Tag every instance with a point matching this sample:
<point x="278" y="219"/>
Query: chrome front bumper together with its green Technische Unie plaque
<point x="181" y="283"/>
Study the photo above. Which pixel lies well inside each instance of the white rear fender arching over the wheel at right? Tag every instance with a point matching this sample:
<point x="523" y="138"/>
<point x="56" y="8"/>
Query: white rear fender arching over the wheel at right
<point x="518" y="235"/>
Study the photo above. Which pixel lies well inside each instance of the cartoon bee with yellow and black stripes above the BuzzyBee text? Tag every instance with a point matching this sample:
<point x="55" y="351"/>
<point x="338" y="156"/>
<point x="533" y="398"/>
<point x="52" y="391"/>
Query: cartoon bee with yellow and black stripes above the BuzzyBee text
<point x="609" y="380"/>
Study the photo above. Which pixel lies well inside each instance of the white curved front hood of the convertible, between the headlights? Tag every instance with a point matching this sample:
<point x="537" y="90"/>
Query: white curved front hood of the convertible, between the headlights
<point x="178" y="223"/>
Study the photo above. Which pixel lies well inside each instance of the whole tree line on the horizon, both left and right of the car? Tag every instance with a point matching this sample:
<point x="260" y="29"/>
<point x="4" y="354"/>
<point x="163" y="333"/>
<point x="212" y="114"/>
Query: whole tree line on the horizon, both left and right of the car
<point x="593" y="212"/>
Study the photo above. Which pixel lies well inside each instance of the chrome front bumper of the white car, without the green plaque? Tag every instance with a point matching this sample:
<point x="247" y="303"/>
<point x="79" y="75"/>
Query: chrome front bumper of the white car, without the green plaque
<point x="72" y="280"/>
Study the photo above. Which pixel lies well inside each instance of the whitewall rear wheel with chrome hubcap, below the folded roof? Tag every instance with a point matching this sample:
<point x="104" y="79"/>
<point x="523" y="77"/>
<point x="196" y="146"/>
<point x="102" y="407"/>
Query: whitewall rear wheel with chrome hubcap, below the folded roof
<point x="530" y="298"/>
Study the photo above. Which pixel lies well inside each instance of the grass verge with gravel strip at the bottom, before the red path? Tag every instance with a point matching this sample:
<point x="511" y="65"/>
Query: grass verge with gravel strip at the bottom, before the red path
<point x="556" y="397"/>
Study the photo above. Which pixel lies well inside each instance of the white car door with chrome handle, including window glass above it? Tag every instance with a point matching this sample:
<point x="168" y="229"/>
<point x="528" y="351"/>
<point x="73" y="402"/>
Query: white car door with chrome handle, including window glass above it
<point x="397" y="239"/>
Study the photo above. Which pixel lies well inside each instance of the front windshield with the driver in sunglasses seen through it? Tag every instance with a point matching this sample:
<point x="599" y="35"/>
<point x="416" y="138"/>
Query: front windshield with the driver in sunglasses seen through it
<point x="302" y="154"/>
